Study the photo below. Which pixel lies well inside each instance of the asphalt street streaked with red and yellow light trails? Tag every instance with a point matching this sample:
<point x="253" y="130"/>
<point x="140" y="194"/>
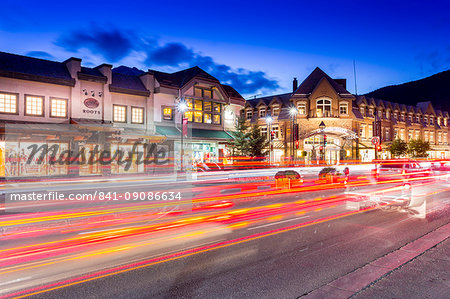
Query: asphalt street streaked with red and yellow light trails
<point x="249" y="241"/>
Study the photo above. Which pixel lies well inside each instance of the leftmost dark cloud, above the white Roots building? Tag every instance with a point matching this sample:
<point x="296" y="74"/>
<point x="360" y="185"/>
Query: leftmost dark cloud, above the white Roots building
<point x="112" y="44"/>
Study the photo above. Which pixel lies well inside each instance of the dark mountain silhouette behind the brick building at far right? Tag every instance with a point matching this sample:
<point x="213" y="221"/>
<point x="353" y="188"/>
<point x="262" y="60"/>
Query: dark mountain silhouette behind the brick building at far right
<point x="435" y="88"/>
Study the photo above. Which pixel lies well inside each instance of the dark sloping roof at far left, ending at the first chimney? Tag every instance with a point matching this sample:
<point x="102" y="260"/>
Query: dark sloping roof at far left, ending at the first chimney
<point x="35" y="69"/>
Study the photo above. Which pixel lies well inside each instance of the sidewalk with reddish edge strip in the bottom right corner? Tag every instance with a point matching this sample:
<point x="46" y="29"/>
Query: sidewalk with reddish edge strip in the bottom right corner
<point x="419" y="269"/>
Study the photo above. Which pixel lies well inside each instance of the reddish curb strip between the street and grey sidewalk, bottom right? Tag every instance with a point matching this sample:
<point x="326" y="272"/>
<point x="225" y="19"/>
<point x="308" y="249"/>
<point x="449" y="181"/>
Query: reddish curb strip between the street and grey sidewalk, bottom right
<point x="358" y="280"/>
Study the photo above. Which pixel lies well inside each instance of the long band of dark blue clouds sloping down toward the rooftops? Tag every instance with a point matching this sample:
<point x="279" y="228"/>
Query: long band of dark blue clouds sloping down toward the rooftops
<point x="114" y="45"/>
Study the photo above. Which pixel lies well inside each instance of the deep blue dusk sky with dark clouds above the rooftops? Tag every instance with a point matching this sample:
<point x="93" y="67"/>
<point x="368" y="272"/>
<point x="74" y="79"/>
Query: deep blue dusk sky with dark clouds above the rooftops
<point x="256" y="46"/>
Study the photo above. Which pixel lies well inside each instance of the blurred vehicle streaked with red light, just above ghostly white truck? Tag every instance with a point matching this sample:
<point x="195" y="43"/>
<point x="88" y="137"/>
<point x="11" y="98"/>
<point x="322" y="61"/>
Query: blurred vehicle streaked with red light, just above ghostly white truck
<point x="400" y="169"/>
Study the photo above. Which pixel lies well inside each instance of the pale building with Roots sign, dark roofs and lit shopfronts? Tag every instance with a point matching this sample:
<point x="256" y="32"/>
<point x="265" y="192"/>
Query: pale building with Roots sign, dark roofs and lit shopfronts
<point x="118" y="110"/>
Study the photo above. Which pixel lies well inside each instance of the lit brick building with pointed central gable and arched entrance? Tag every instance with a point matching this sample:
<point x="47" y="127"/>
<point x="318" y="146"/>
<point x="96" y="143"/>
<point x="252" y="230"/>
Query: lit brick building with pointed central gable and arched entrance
<point x="323" y="109"/>
